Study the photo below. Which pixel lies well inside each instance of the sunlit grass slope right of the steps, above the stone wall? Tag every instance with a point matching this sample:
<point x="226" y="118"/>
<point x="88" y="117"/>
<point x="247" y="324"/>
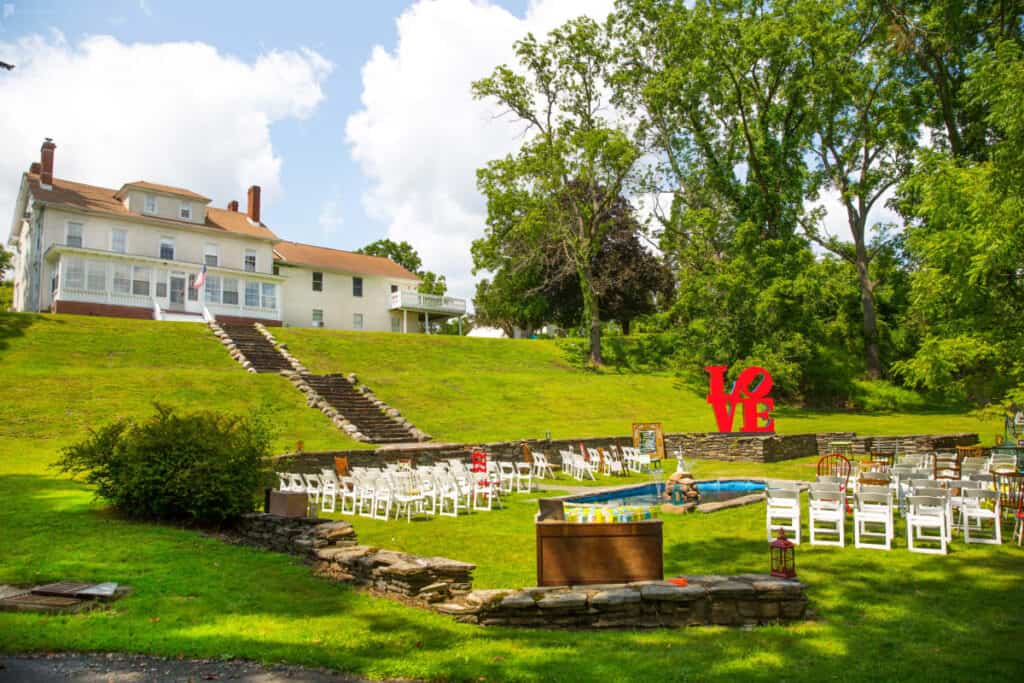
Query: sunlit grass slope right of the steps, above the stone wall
<point x="467" y="390"/>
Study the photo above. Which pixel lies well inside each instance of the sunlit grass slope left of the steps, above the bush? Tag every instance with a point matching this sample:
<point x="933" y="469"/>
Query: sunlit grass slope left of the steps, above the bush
<point x="65" y="374"/>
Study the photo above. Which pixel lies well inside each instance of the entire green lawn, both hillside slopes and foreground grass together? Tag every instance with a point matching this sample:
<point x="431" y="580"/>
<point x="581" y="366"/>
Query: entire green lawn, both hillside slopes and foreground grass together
<point x="880" y="616"/>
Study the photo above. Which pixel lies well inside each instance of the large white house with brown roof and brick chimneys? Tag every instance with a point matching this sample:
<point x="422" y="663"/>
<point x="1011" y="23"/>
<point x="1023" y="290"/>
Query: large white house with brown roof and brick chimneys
<point x="137" y="252"/>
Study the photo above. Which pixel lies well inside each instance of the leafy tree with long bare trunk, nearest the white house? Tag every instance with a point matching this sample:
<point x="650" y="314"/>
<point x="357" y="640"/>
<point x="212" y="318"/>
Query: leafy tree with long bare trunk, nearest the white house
<point x="548" y="192"/>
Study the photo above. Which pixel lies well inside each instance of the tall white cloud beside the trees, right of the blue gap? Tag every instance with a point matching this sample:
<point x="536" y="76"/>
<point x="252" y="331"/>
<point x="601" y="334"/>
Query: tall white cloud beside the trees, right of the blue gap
<point x="420" y="137"/>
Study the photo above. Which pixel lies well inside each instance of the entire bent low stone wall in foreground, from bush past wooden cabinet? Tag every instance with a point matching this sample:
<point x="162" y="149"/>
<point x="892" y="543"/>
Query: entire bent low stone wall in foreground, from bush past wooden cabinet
<point x="446" y="586"/>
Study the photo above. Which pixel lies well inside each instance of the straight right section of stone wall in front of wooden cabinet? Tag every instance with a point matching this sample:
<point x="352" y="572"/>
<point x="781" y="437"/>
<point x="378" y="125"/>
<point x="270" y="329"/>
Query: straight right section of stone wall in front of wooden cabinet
<point x="747" y="600"/>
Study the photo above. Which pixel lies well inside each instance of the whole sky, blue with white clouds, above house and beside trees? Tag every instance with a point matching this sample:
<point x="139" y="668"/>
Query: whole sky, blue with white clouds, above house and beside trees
<point x="356" y="118"/>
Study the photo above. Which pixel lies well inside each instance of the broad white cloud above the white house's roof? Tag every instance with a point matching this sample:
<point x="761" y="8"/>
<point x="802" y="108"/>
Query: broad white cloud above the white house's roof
<point x="181" y="114"/>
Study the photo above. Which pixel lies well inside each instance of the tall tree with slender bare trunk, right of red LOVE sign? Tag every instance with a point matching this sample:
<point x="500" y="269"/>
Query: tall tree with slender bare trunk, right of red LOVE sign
<point x="865" y="123"/>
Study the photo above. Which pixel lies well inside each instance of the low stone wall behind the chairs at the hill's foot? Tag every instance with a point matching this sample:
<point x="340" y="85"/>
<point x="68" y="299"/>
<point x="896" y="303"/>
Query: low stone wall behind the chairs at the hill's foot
<point x="731" y="447"/>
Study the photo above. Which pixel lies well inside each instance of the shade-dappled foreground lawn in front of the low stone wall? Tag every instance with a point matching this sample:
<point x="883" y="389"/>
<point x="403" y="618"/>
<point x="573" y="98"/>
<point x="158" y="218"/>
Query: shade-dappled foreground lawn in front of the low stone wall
<point x="881" y="616"/>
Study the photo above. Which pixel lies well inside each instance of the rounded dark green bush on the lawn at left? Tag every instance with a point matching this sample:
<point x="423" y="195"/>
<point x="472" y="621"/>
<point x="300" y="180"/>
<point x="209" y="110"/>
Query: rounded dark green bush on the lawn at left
<point x="204" y="467"/>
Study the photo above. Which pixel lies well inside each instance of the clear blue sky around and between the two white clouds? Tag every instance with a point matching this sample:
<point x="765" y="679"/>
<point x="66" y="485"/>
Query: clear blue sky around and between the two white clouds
<point x="317" y="161"/>
